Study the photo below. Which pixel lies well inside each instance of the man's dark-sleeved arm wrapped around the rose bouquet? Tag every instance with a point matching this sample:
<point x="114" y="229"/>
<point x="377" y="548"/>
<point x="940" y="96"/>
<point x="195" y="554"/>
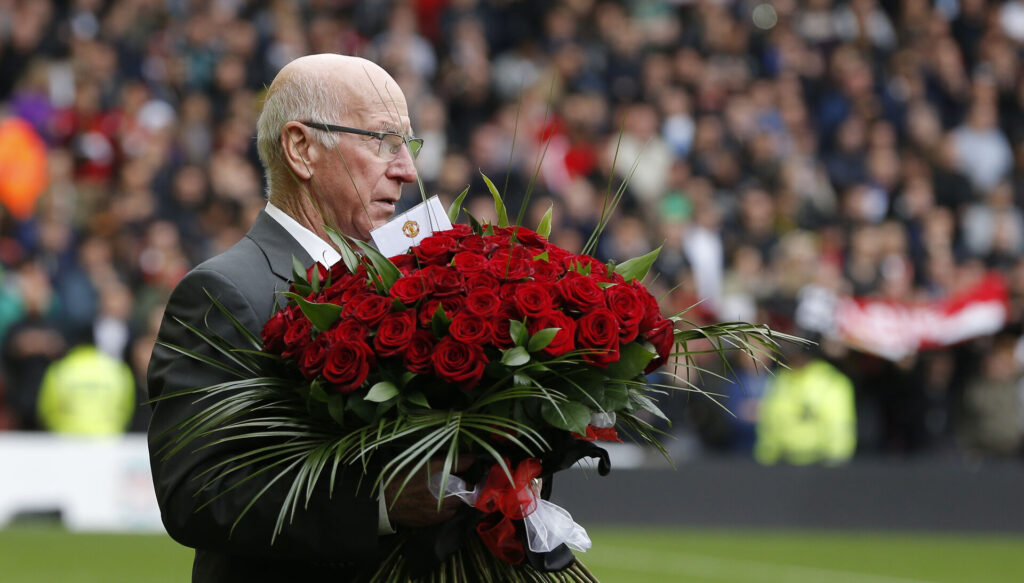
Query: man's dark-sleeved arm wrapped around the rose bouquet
<point x="342" y="528"/>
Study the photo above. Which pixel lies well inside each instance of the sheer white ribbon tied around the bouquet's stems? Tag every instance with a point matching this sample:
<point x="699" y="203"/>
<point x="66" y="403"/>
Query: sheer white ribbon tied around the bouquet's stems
<point x="547" y="527"/>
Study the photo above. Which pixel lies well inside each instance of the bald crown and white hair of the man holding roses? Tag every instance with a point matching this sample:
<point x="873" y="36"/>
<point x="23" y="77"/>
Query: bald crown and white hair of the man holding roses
<point x="327" y="89"/>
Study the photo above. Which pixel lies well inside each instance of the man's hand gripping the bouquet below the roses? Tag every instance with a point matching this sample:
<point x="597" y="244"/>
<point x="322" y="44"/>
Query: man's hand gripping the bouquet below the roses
<point x="417" y="507"/>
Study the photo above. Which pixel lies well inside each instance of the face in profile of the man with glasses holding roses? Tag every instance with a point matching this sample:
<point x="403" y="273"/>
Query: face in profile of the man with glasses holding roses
<point x="362" y="187"/>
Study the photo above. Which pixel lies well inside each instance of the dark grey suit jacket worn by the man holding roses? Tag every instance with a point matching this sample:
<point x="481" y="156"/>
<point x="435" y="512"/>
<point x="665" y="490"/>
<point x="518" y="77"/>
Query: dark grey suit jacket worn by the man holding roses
<point x="324" y="542"/>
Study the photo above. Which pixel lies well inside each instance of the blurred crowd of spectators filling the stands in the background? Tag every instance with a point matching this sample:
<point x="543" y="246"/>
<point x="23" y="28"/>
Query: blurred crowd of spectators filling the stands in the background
<point x="870" y="147"/>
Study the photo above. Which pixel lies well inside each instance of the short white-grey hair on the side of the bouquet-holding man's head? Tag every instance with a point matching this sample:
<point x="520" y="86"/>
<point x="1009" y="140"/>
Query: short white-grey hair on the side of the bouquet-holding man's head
<point x="296" y="98"/>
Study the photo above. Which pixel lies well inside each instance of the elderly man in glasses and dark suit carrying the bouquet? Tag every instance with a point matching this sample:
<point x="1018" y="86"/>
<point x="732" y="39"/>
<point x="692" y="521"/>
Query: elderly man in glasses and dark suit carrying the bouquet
<point x="334" y="138"/>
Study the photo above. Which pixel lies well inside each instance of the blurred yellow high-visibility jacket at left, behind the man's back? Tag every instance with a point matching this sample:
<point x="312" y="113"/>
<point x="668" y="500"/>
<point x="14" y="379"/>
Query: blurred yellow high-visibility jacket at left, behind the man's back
<point x="88" y="393"/>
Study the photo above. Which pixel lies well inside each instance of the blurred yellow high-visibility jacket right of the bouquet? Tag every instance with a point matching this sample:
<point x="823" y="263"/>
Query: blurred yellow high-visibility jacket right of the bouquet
<point x="807" y="417"/>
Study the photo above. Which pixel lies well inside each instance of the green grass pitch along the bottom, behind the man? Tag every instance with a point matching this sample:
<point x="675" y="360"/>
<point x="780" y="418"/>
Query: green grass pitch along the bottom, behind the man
<point x="38" y="555"/>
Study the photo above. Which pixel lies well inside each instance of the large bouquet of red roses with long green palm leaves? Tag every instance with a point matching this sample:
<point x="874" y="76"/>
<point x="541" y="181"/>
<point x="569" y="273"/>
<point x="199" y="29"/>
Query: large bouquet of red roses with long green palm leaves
<point x="483" y="340"/>
